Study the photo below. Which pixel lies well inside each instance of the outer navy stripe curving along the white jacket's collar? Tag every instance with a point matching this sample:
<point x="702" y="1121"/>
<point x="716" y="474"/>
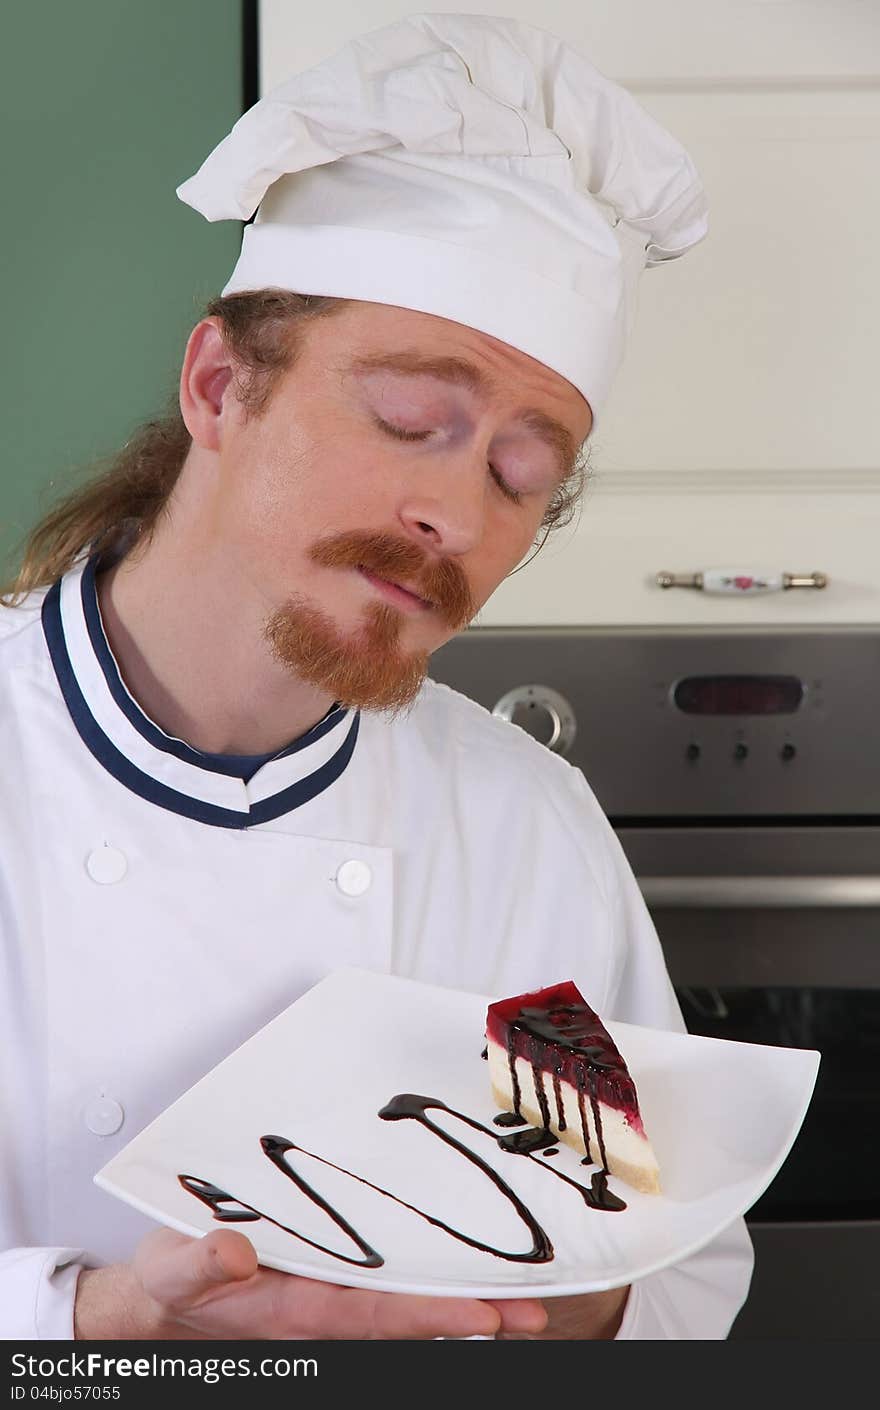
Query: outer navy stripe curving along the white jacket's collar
<point x="152" y="790"/>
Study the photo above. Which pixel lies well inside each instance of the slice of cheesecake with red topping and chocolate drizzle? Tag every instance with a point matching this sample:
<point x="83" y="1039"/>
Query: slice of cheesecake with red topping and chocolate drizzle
<point x="554" y="1062"/>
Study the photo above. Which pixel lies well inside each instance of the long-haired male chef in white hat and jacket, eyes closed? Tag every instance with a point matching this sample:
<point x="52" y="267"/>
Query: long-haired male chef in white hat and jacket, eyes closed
<point x="225" y="771"/>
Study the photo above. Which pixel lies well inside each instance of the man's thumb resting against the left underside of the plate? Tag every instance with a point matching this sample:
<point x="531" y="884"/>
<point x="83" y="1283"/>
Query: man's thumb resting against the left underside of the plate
<point x="178" y="1271"/>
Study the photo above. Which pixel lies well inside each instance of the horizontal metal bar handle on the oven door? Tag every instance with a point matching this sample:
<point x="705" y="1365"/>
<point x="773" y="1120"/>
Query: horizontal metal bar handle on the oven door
<point x="733" y="893"/>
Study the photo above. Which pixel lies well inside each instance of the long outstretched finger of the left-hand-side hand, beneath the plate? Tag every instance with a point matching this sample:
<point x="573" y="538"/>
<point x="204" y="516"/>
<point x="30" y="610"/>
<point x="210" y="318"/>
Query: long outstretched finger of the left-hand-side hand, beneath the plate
<point x="318" y="1311"/>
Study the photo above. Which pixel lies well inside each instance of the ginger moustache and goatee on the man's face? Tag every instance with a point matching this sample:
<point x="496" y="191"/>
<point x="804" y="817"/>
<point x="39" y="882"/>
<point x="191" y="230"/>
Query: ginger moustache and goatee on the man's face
<point x="366" y="668"/>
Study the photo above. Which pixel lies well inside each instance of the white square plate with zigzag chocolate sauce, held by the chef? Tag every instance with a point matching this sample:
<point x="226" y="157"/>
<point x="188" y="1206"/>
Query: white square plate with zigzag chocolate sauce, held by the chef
<point x="721" y="1116"/>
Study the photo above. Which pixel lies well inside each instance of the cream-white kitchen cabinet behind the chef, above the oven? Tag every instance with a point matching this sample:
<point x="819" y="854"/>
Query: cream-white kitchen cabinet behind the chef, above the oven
<point x="744" y="427"/>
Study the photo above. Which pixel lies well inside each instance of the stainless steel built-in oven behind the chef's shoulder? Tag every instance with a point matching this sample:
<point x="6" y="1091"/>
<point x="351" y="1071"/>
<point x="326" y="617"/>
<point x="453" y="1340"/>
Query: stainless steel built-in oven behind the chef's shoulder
<point x="742" y="773"/>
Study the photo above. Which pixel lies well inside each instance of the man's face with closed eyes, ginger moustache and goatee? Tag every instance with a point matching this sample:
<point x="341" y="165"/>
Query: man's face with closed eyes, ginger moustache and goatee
<point x="400" y="473"/>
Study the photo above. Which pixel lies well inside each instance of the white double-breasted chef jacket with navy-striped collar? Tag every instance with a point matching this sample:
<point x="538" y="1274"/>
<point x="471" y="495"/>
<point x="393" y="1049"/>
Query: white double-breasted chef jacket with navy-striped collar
<point x="157" y="910"/>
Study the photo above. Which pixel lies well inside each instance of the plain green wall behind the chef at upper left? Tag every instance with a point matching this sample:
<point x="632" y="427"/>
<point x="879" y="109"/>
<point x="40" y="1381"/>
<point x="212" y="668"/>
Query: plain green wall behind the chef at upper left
<point x="106" y="108"/>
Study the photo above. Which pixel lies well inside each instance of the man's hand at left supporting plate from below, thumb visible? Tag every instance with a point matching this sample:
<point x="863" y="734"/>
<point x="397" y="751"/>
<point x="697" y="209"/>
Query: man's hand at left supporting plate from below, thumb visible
<point x="195" y="1289"/>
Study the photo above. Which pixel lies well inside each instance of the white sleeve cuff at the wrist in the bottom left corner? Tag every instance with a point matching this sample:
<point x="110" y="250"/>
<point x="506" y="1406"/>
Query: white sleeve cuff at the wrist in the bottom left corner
<point x="37" y="1294"/>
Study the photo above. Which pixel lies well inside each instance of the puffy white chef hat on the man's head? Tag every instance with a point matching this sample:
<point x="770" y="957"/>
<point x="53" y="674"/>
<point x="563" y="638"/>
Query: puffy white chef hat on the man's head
<point x="469" y="167"/>
